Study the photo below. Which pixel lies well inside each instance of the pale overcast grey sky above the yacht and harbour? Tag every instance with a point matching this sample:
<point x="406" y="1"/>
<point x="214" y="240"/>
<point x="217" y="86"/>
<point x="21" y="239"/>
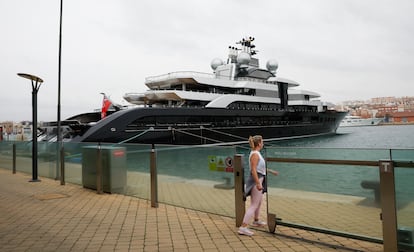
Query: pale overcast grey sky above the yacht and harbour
<point x="342" y="49"/>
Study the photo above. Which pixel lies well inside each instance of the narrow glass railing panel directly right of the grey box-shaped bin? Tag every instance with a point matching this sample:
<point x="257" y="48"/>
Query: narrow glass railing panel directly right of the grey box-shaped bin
<point x="138" y="170"/>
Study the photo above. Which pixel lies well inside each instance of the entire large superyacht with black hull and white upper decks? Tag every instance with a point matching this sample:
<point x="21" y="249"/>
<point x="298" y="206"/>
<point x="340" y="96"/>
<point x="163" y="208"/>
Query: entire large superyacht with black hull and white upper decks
<point x="239" y="99"/>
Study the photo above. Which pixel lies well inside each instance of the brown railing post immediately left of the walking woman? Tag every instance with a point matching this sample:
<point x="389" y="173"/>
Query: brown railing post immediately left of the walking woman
<point x="240" y="205"/>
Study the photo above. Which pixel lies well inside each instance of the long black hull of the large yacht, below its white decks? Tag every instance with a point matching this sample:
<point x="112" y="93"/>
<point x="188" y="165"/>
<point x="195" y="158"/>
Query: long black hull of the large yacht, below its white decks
<point x="193" y="126"/>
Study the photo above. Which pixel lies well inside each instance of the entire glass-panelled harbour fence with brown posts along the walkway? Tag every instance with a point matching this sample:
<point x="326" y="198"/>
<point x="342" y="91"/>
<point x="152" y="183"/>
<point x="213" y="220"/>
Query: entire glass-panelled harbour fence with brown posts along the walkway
<point x="364" y="194"/>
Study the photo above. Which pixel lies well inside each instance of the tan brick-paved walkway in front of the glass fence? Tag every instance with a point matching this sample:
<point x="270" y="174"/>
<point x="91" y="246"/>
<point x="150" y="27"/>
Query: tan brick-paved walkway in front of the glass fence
<point x="45" y="216"/>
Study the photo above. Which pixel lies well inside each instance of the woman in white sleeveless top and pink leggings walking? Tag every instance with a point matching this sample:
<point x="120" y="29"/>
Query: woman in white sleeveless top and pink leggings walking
<point x="255" y="185"/>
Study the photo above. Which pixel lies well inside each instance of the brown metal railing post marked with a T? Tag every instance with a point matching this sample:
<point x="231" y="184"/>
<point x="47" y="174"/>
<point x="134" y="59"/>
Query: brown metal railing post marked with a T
<point x="388" y="205"/>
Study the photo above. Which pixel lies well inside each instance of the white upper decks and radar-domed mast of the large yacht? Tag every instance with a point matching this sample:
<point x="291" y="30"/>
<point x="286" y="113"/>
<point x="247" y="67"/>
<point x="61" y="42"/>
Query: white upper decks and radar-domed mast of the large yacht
<point x="237" y="81"/>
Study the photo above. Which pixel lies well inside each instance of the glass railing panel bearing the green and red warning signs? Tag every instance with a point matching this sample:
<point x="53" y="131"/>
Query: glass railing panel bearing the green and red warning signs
<point x="199" y="178"/>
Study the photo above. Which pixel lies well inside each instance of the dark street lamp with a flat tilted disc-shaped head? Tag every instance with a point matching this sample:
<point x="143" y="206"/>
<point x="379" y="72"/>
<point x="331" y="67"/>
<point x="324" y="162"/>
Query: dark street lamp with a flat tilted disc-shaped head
<point x="36" y="82"/>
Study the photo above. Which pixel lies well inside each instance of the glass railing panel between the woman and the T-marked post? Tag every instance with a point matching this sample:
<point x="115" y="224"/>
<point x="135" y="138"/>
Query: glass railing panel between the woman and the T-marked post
<point x="343" y="198"/>
